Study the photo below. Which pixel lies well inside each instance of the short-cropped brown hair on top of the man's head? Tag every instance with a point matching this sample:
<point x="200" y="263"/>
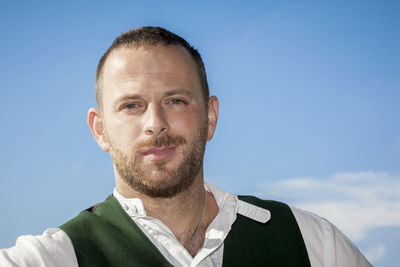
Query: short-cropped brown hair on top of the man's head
<point x="152" y="36"/>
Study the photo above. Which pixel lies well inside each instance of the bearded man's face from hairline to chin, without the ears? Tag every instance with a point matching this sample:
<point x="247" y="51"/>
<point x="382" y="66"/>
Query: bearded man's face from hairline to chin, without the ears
<point x="154" y="118"/>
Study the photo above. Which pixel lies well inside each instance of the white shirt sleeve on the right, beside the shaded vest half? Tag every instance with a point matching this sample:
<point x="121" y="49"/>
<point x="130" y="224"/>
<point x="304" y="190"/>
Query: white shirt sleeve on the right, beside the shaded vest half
<point x="326" y="245"/>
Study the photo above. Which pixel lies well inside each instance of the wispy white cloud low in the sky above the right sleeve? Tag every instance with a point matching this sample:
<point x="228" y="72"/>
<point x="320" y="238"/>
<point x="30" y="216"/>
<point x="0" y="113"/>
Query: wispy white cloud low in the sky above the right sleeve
<point x="355" y="202"/>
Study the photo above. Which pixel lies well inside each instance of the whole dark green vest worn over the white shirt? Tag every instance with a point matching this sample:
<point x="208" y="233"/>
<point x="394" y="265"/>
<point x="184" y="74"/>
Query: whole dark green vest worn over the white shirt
<point x="104" y="235"/>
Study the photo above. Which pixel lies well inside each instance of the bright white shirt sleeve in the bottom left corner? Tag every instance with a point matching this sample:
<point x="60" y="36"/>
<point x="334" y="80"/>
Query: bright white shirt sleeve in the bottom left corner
<point x="52" y="248"/>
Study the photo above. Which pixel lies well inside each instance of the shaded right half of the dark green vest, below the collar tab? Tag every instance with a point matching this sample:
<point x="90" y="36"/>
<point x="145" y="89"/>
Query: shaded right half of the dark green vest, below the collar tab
<point x="276" y="242"/>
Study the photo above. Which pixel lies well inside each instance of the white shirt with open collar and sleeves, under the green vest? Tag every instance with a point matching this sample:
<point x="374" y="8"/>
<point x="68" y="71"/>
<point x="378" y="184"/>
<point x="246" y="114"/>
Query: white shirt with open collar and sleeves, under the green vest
<point x="326" y="245"/>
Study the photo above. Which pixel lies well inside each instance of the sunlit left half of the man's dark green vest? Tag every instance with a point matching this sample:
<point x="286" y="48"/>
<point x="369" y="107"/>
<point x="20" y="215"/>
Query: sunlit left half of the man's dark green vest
<point x="106" y="236"/>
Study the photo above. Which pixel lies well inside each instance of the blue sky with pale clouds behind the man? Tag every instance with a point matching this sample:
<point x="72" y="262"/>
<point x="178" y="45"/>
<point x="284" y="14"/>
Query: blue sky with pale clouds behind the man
<point x="309" y="111"/>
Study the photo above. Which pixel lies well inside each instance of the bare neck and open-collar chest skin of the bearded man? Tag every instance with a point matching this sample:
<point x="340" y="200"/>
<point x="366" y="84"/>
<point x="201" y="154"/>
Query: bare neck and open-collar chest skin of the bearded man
<point x="181" y="213"/>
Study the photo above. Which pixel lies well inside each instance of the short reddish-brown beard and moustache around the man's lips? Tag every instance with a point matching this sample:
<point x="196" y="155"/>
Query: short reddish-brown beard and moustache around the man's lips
<point x="161" y="182"/>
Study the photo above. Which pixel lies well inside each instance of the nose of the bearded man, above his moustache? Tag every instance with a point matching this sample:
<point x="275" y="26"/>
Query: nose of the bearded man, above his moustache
<point x="155" y="121"/>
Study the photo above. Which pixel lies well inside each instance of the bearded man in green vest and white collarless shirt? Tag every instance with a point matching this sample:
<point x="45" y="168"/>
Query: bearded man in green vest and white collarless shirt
<point x="155" y="116"/>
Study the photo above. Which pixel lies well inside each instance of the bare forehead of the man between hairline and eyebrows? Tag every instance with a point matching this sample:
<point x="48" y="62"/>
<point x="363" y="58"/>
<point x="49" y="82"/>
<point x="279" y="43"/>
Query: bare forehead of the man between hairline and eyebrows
<point x="170" y="65"/>
